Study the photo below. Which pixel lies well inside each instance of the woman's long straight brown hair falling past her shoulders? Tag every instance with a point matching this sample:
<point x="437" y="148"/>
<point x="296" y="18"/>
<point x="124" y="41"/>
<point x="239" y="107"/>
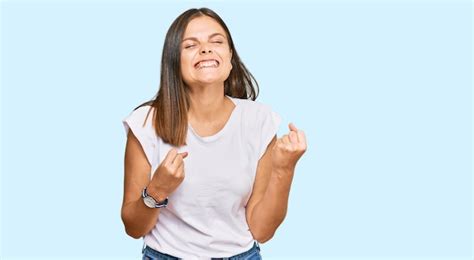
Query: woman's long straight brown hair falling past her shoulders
<point x="171" y="103"/>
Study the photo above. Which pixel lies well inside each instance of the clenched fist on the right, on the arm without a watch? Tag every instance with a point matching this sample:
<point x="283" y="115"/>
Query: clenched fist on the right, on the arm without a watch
<point x="288" y="149"/>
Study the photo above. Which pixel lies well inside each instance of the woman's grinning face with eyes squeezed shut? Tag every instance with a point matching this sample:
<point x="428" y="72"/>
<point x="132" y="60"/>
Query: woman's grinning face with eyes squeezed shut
<point x="205" y="53"/>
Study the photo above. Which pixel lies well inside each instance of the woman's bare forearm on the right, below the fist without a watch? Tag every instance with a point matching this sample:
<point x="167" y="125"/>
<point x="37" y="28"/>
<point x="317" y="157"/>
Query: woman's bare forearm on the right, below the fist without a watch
<point x="270" y="212"/>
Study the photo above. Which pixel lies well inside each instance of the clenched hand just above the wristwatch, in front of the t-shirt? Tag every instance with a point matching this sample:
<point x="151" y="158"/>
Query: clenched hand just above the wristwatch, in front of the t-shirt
<point x="168" y="176"/>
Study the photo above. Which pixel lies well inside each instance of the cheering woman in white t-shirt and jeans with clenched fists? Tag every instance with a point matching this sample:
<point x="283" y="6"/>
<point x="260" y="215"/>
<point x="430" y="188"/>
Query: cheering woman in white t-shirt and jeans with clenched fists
<point x="205" y="175"/>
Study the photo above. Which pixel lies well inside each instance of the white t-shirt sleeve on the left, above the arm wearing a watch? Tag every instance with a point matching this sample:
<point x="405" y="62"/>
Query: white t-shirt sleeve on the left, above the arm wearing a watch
<point x="143" y="130"/>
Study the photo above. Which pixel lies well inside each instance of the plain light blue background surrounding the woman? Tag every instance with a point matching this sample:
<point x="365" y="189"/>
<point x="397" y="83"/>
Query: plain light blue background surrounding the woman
<point x="383" y="91"/>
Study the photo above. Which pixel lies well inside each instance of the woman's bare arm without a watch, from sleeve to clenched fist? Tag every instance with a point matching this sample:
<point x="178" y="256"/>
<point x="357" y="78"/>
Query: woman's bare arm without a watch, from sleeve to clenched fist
<point x="268" y="204"/>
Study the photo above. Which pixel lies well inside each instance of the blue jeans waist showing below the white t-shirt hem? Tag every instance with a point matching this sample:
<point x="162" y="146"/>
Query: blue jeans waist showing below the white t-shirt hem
<point x="252" y="254"/>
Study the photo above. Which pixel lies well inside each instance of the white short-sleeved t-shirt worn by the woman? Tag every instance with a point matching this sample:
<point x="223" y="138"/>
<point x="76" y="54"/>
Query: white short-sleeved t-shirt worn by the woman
<point x="205" y="216"/>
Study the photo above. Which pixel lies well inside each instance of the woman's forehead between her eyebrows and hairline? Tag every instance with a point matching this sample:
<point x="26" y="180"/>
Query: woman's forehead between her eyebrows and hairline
<point x="203" y="26"/>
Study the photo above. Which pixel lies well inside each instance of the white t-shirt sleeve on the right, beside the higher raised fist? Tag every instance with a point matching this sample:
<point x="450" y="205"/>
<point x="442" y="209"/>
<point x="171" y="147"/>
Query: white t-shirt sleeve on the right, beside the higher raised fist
<point x="268" y="126"/>
